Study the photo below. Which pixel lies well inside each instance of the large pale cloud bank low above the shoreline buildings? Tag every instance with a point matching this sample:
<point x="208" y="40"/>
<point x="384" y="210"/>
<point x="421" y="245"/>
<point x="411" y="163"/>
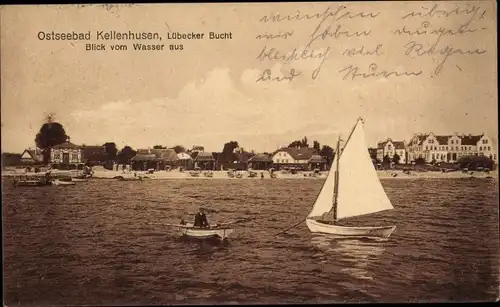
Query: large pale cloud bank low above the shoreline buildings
<point x="211" y="111"/>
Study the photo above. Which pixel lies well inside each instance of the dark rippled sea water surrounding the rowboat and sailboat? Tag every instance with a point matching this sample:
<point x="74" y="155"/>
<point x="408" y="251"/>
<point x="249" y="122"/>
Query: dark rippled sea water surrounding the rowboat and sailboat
<point x="102" y="243"/>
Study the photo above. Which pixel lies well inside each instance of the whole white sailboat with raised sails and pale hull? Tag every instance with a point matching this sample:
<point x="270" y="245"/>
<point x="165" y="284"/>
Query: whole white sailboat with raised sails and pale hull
<point x="352" y="188"/>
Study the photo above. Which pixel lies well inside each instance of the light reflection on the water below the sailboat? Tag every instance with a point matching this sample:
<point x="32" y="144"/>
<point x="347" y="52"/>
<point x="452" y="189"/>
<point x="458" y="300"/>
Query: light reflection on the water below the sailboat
<point x="355" y="254"/>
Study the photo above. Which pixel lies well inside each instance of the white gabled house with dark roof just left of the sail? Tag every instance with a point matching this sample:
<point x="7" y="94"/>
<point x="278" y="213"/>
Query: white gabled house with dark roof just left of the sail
<point x="293" y="157"/>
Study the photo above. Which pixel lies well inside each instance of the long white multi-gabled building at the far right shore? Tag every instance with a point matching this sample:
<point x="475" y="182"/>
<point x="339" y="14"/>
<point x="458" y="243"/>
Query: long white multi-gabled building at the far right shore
<point x="449" y="148"/>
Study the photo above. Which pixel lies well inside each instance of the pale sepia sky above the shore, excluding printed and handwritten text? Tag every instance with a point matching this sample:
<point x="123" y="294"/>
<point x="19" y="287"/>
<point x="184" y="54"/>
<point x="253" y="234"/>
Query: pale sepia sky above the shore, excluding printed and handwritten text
<point x="207" y="93"/>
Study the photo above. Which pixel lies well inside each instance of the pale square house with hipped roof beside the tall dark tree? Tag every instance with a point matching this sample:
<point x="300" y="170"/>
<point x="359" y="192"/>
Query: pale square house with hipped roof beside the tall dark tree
<point x="66" y="156"/>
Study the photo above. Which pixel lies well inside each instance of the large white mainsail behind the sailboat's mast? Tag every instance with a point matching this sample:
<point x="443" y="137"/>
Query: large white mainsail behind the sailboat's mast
<point x="359" y="191"/>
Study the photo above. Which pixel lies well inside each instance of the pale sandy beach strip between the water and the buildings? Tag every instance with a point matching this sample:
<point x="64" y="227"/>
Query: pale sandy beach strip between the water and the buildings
<point x="176" y="175"/>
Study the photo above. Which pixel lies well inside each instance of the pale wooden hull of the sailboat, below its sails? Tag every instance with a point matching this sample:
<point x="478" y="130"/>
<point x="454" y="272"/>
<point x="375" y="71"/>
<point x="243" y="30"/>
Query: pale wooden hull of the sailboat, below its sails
<point x="367" y="232"/>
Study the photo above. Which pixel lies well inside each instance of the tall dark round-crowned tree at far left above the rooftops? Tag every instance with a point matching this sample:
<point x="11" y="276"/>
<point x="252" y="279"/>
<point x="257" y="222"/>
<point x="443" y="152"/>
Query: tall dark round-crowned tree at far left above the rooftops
<point x="51" y="134"/>
